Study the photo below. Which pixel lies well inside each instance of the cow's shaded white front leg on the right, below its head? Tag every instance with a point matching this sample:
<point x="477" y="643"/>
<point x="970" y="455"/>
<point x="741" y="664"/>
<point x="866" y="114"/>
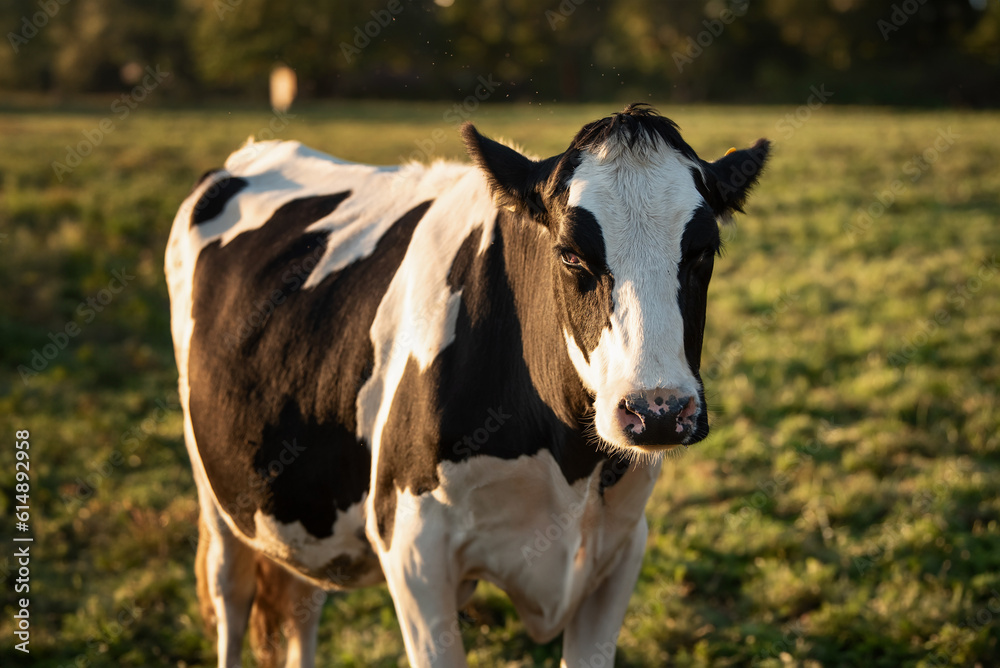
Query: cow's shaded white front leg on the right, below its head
<point x="591" y="637"/>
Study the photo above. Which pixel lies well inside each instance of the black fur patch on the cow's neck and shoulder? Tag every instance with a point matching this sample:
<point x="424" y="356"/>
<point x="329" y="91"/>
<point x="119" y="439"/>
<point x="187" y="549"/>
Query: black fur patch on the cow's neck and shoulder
<point x="504" y="388"/>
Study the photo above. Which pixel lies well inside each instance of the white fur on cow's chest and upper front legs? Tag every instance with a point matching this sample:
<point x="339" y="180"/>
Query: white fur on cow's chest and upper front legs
<point x="552" y="561"/>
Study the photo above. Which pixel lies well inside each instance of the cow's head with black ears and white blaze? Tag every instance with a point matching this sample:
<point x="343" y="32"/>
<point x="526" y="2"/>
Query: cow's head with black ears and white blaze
<point x="631" y="213"/>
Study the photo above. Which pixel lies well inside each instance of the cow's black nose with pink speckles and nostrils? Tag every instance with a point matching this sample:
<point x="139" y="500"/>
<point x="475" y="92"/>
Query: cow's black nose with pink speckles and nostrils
<point x="657" y="418"/>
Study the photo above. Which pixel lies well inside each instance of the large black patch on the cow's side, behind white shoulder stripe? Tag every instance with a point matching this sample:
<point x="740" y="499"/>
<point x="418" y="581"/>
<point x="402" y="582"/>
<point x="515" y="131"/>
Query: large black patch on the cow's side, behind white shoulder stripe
<point x="289" y="383"/>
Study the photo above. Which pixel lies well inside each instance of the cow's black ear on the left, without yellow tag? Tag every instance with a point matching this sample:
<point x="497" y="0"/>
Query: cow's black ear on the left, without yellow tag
<point x="516" y="181"/>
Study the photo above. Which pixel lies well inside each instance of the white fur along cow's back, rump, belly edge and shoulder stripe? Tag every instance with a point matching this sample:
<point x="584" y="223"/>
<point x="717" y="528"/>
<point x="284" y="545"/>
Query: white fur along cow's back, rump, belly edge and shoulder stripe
<point x="417" y="317"/>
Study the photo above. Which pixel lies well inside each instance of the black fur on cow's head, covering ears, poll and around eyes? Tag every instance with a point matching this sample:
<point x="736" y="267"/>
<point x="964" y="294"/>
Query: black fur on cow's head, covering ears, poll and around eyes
<point x="537" y="190"/>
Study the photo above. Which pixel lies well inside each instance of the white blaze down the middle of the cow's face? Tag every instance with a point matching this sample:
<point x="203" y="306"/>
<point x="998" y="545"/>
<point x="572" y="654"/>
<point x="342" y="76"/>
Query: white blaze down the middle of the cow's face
<point x="642" y="200"/>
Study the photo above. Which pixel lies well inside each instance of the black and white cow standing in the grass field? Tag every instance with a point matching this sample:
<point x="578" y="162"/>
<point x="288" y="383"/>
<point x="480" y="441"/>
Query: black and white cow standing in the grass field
<point x="414" y="373"/>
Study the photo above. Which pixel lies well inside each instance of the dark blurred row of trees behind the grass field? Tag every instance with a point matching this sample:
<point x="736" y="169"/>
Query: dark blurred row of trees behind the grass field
<point x="916" y="52"/>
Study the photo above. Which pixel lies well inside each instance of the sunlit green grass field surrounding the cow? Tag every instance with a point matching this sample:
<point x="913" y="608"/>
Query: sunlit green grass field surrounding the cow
<point x="843" y="513"/>
